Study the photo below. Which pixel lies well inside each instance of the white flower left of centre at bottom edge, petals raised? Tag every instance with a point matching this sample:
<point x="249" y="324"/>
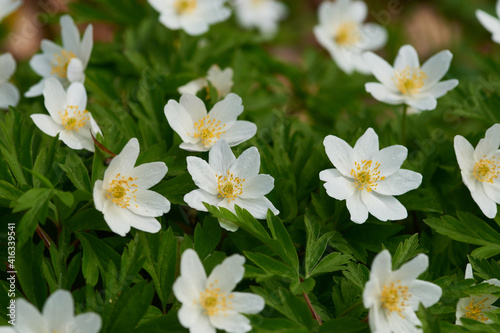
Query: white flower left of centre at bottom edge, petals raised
<point x="210" y="303"/>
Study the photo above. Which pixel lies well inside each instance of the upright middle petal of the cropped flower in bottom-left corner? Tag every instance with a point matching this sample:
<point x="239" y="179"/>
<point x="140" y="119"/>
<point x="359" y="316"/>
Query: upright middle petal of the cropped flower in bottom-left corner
<point x="58" y="310"/>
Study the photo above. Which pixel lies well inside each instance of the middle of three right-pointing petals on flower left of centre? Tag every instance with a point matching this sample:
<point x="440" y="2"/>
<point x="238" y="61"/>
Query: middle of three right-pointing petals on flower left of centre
<point x="149" y="203"/>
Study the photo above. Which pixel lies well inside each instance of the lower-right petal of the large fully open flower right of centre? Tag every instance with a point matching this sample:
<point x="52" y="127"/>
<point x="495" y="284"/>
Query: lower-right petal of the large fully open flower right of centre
<point x="384" y="207"/>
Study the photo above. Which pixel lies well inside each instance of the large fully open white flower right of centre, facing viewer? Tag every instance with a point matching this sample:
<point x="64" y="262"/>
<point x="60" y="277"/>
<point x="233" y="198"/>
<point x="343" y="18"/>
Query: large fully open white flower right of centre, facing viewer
<point x="367" y="178"/>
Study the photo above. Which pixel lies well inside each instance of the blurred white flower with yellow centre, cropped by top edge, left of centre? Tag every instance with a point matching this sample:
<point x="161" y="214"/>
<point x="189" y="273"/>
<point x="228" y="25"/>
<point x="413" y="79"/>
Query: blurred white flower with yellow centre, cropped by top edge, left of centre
<point x="192" y="16"/>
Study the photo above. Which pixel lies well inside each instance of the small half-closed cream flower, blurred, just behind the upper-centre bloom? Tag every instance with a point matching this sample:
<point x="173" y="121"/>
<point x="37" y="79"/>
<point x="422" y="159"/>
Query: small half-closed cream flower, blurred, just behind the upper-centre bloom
<point x="222" y="80"/>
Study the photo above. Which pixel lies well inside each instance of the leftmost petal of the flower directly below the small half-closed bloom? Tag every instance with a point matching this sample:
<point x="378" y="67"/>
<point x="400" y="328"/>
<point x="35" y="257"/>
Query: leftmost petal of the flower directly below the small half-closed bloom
<point x="180" y="120"/>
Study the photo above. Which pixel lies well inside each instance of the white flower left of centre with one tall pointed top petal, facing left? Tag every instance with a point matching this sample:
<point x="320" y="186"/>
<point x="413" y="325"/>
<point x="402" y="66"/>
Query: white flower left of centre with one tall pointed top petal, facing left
<point x="123" y="196"/>
